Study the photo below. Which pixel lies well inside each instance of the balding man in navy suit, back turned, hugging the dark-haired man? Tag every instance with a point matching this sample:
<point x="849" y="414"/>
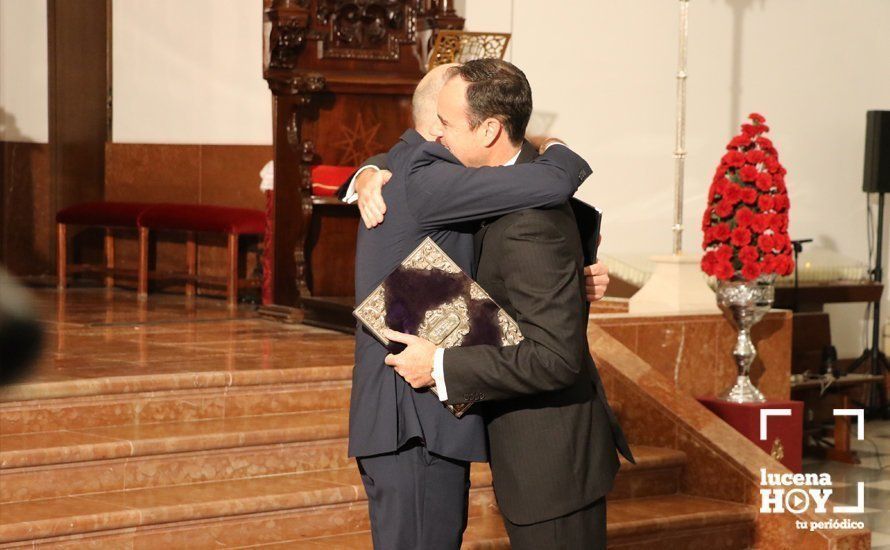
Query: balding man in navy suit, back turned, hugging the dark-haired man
<point x="413" y="454"/>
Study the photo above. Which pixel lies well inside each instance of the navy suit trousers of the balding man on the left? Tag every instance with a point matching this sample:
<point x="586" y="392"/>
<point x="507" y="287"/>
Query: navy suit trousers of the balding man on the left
<point x="417" y="500"/>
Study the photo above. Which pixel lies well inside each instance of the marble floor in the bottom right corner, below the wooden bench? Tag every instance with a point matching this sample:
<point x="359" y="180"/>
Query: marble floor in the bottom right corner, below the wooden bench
<point x="874" y="470"/>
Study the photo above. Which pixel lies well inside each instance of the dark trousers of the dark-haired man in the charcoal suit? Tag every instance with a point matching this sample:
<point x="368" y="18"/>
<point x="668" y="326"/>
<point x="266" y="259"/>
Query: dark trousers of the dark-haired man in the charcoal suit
<point x="584" y="529"/>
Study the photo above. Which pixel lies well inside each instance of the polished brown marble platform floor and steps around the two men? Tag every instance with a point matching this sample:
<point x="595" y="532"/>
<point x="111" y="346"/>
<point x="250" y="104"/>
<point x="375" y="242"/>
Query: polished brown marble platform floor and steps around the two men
<point x="101" y="441"/>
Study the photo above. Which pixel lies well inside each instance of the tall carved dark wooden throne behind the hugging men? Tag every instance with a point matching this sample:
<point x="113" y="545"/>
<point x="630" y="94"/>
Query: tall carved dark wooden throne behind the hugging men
<point x="342" y="73"/>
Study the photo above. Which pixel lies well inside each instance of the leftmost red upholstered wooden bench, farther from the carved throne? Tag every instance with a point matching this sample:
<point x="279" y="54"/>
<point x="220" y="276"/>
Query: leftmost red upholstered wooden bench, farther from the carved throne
<point x="108" y="215"/>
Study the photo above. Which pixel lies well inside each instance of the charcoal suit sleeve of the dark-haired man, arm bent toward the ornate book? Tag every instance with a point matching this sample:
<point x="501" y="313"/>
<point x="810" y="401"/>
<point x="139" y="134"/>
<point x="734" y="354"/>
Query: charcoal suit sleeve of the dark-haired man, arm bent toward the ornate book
<point x="543" y="284"/>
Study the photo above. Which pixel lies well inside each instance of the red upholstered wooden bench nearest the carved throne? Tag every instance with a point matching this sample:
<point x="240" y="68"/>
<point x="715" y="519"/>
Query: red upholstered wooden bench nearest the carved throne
<point x="193" y="218"/>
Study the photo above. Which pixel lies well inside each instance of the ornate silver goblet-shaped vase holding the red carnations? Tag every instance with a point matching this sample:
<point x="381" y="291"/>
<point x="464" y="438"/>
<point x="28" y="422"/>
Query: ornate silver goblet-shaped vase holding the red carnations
<point x="747" y="302"/>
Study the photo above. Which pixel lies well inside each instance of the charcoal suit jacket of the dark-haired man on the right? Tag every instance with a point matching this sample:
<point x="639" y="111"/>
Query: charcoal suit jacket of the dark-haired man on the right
<point x="552" y="433"/>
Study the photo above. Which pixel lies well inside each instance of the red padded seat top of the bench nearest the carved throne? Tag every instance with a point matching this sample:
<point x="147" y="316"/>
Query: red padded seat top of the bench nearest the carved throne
<point x="202" y="217"/>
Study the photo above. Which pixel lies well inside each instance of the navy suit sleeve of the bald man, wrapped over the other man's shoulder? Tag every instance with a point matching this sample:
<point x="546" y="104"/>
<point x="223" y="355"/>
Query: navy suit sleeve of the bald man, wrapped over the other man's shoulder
<point x="441" y="191"/>
